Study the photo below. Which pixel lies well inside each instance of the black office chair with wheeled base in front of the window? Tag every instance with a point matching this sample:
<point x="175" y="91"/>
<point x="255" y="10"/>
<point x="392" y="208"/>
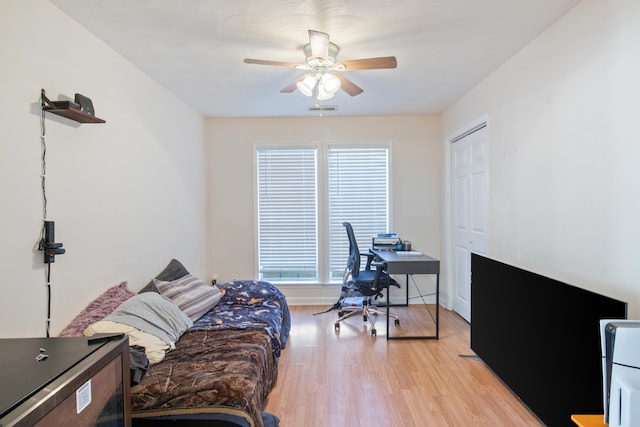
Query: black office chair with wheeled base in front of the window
<point x="367" y="284"/>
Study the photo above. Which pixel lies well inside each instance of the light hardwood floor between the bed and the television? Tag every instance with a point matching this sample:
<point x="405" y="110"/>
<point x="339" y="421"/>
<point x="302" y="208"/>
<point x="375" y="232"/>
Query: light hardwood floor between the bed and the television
<point x="343" y="378"/>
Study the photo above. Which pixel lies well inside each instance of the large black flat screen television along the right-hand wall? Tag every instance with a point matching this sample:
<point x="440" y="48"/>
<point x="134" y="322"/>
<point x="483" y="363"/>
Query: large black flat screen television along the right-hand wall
<point x="541" y="337"/>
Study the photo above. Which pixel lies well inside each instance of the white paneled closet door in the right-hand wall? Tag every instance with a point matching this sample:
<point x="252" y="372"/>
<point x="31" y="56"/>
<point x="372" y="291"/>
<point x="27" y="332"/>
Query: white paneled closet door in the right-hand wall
<point x="469" y="198"/>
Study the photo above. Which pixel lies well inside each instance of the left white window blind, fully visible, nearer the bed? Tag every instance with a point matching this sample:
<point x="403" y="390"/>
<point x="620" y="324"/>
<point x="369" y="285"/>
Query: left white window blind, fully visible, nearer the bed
<point x="287" y="214"/>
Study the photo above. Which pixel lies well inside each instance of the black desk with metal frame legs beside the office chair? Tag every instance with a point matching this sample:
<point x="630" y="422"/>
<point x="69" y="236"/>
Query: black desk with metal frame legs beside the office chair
<point x="397" y="263"/>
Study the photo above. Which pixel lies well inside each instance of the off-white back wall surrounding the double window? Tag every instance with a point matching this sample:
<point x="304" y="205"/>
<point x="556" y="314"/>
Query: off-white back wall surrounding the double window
<point x="416" y="179"/>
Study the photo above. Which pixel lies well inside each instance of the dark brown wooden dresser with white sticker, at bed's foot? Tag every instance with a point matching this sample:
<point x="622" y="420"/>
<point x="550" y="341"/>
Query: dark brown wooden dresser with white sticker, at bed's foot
<point x="80" y="381"/>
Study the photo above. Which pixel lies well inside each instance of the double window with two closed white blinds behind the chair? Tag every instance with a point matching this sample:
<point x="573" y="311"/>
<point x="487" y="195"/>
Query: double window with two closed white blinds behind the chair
<point x="298" y="201"/>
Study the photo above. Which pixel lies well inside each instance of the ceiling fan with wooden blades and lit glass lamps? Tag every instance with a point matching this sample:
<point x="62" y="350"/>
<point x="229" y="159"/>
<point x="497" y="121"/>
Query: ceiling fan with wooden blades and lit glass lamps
<point x="323" y="78"/>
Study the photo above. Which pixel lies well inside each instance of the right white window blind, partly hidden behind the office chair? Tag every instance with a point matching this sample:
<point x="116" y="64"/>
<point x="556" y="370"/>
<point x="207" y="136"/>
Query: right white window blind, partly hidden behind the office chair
<point x="358" y="181"/>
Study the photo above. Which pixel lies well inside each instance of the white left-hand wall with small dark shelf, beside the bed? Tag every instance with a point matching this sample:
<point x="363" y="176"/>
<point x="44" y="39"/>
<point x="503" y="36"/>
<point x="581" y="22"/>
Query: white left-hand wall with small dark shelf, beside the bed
<point x="126" y="196"/>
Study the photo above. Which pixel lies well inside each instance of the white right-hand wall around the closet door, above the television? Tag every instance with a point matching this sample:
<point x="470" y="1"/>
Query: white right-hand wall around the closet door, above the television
<point x="564" y="151"/>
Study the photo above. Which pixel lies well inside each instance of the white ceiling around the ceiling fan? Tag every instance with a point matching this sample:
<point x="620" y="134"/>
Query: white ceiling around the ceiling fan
<point x="195" y="48"/>
